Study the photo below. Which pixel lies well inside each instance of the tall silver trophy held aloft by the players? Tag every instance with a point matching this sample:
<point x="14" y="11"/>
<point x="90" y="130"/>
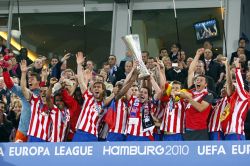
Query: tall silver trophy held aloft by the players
<point x="133" y="44"/>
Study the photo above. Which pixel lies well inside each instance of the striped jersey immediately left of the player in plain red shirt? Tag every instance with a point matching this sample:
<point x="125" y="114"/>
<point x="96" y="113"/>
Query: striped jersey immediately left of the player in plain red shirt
<point x="173" y="118"/>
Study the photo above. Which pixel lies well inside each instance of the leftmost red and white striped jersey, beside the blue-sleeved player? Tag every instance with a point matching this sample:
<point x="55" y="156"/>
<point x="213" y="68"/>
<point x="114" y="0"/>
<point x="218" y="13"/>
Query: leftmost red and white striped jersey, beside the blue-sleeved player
<point x="40" y="122"/>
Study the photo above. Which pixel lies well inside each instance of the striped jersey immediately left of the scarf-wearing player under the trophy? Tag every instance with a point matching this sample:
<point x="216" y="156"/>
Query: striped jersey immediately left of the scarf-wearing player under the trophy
<point x="121" y="117"/>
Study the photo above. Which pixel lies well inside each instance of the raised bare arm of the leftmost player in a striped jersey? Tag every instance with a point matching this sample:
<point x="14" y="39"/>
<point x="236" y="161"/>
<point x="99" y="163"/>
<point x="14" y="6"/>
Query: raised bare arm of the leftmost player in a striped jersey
<point x="23" y="83"/>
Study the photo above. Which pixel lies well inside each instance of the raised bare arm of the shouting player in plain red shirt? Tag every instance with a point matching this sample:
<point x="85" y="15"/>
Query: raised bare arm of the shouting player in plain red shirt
<point x="192" y="66"/>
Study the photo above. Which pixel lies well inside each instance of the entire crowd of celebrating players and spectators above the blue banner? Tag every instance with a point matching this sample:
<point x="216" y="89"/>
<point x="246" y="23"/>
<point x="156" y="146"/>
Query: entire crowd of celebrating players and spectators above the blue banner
<point x="204" y="97"/>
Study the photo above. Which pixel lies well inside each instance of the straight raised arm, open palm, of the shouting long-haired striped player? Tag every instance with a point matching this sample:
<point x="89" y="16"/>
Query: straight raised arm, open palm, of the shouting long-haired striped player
<point x="80" y="60"/>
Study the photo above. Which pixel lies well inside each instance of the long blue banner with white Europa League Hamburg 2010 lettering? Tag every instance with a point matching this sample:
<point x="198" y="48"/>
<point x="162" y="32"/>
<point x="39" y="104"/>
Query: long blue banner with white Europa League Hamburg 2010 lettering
<point x="205" y="153"/>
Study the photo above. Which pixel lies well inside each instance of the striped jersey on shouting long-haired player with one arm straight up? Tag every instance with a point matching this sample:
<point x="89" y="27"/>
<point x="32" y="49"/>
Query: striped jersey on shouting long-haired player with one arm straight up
<point x="89" y="120"/>
